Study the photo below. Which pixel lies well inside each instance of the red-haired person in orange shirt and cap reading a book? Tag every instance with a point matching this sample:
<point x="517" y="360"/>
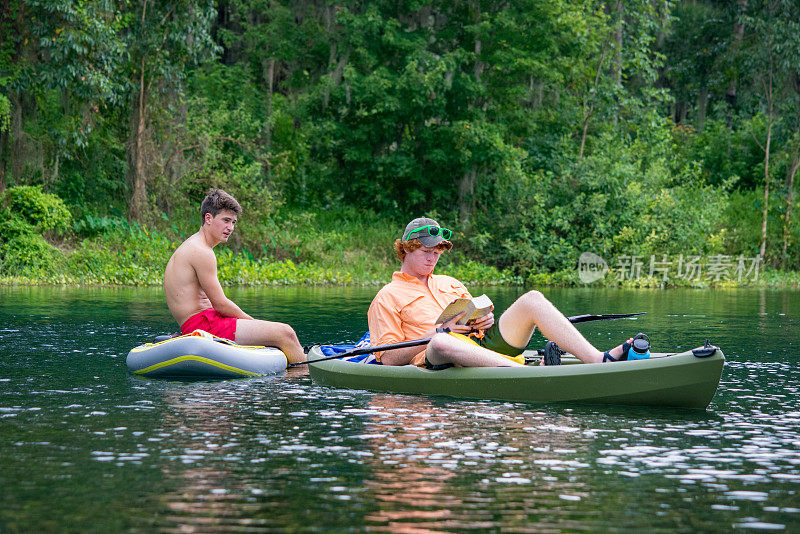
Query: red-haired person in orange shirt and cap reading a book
<point x="407" y="308"/>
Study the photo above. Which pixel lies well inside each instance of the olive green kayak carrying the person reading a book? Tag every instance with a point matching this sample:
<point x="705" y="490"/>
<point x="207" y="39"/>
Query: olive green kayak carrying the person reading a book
<point x="686" y="380"/>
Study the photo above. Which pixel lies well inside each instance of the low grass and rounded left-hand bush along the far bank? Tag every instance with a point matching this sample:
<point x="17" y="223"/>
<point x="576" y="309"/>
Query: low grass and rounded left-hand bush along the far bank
<point x="40" y="244"/>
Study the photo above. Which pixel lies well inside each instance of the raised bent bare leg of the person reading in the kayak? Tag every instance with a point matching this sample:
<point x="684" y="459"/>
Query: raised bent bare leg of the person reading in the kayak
<point x="533" y="310"/>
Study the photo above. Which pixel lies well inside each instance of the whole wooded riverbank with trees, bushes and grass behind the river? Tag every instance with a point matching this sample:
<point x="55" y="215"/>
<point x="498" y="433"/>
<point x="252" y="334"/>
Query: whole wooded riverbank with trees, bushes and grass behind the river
<point x="536" y="130"/>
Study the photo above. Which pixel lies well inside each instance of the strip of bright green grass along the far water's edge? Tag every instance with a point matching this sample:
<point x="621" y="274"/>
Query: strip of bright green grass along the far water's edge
<point x="309" y="249"/>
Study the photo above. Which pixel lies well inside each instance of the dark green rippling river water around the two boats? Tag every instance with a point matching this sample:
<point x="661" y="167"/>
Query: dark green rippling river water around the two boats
<point x="87" y="447"/>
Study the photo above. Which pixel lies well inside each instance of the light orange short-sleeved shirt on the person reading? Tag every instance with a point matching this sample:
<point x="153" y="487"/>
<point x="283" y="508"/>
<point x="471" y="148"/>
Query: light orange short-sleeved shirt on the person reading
<point x="406" y="309"/>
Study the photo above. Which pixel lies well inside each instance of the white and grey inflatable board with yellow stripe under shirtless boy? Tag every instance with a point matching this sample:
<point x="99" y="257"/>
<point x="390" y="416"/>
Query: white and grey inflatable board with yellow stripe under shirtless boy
<point x="202" y="355"/>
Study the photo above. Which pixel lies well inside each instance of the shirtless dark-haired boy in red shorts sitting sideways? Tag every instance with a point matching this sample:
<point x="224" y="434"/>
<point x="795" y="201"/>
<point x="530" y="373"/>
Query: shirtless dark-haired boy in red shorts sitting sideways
<point x="194" y="294"/>
